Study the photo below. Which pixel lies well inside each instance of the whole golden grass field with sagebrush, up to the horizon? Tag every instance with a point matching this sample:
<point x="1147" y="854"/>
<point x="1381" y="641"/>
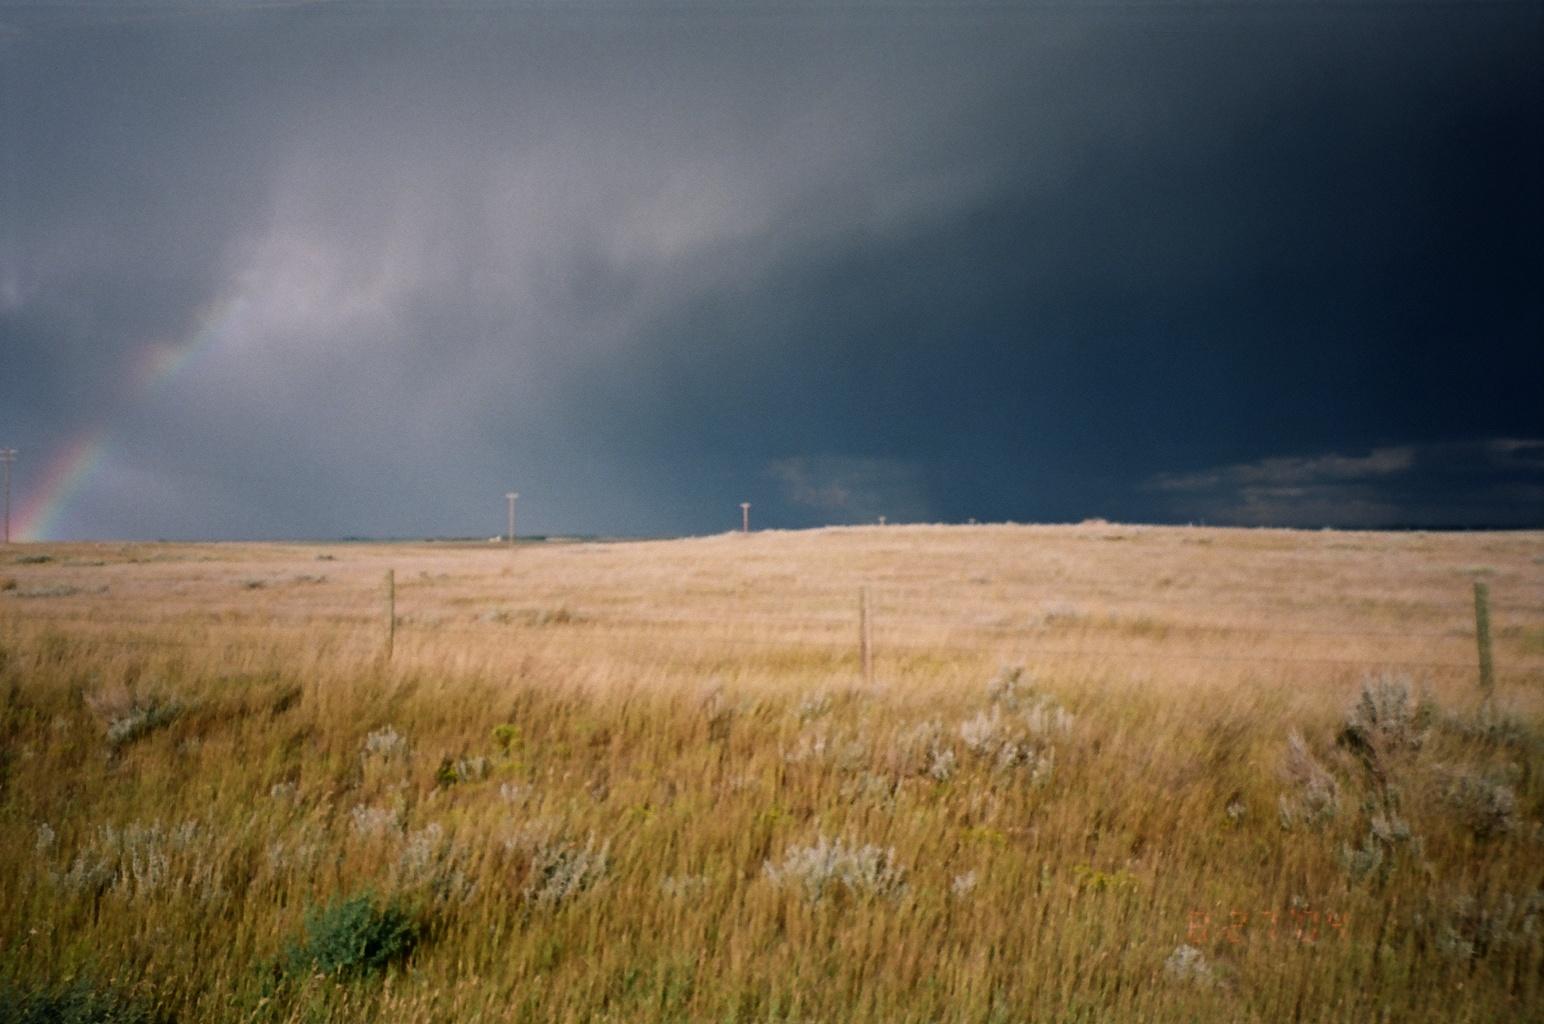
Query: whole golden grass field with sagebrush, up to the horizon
<point x="1099" y="775"/>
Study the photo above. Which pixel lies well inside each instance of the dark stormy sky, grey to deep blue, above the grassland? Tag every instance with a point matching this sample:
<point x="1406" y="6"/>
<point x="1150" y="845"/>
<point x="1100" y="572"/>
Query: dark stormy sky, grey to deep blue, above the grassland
<point x="357" y="270"/>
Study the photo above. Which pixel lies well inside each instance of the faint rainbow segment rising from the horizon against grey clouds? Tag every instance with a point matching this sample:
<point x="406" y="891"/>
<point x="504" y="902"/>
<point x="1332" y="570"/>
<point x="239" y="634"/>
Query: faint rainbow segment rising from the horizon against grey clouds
<point x="70" y="469"/>
